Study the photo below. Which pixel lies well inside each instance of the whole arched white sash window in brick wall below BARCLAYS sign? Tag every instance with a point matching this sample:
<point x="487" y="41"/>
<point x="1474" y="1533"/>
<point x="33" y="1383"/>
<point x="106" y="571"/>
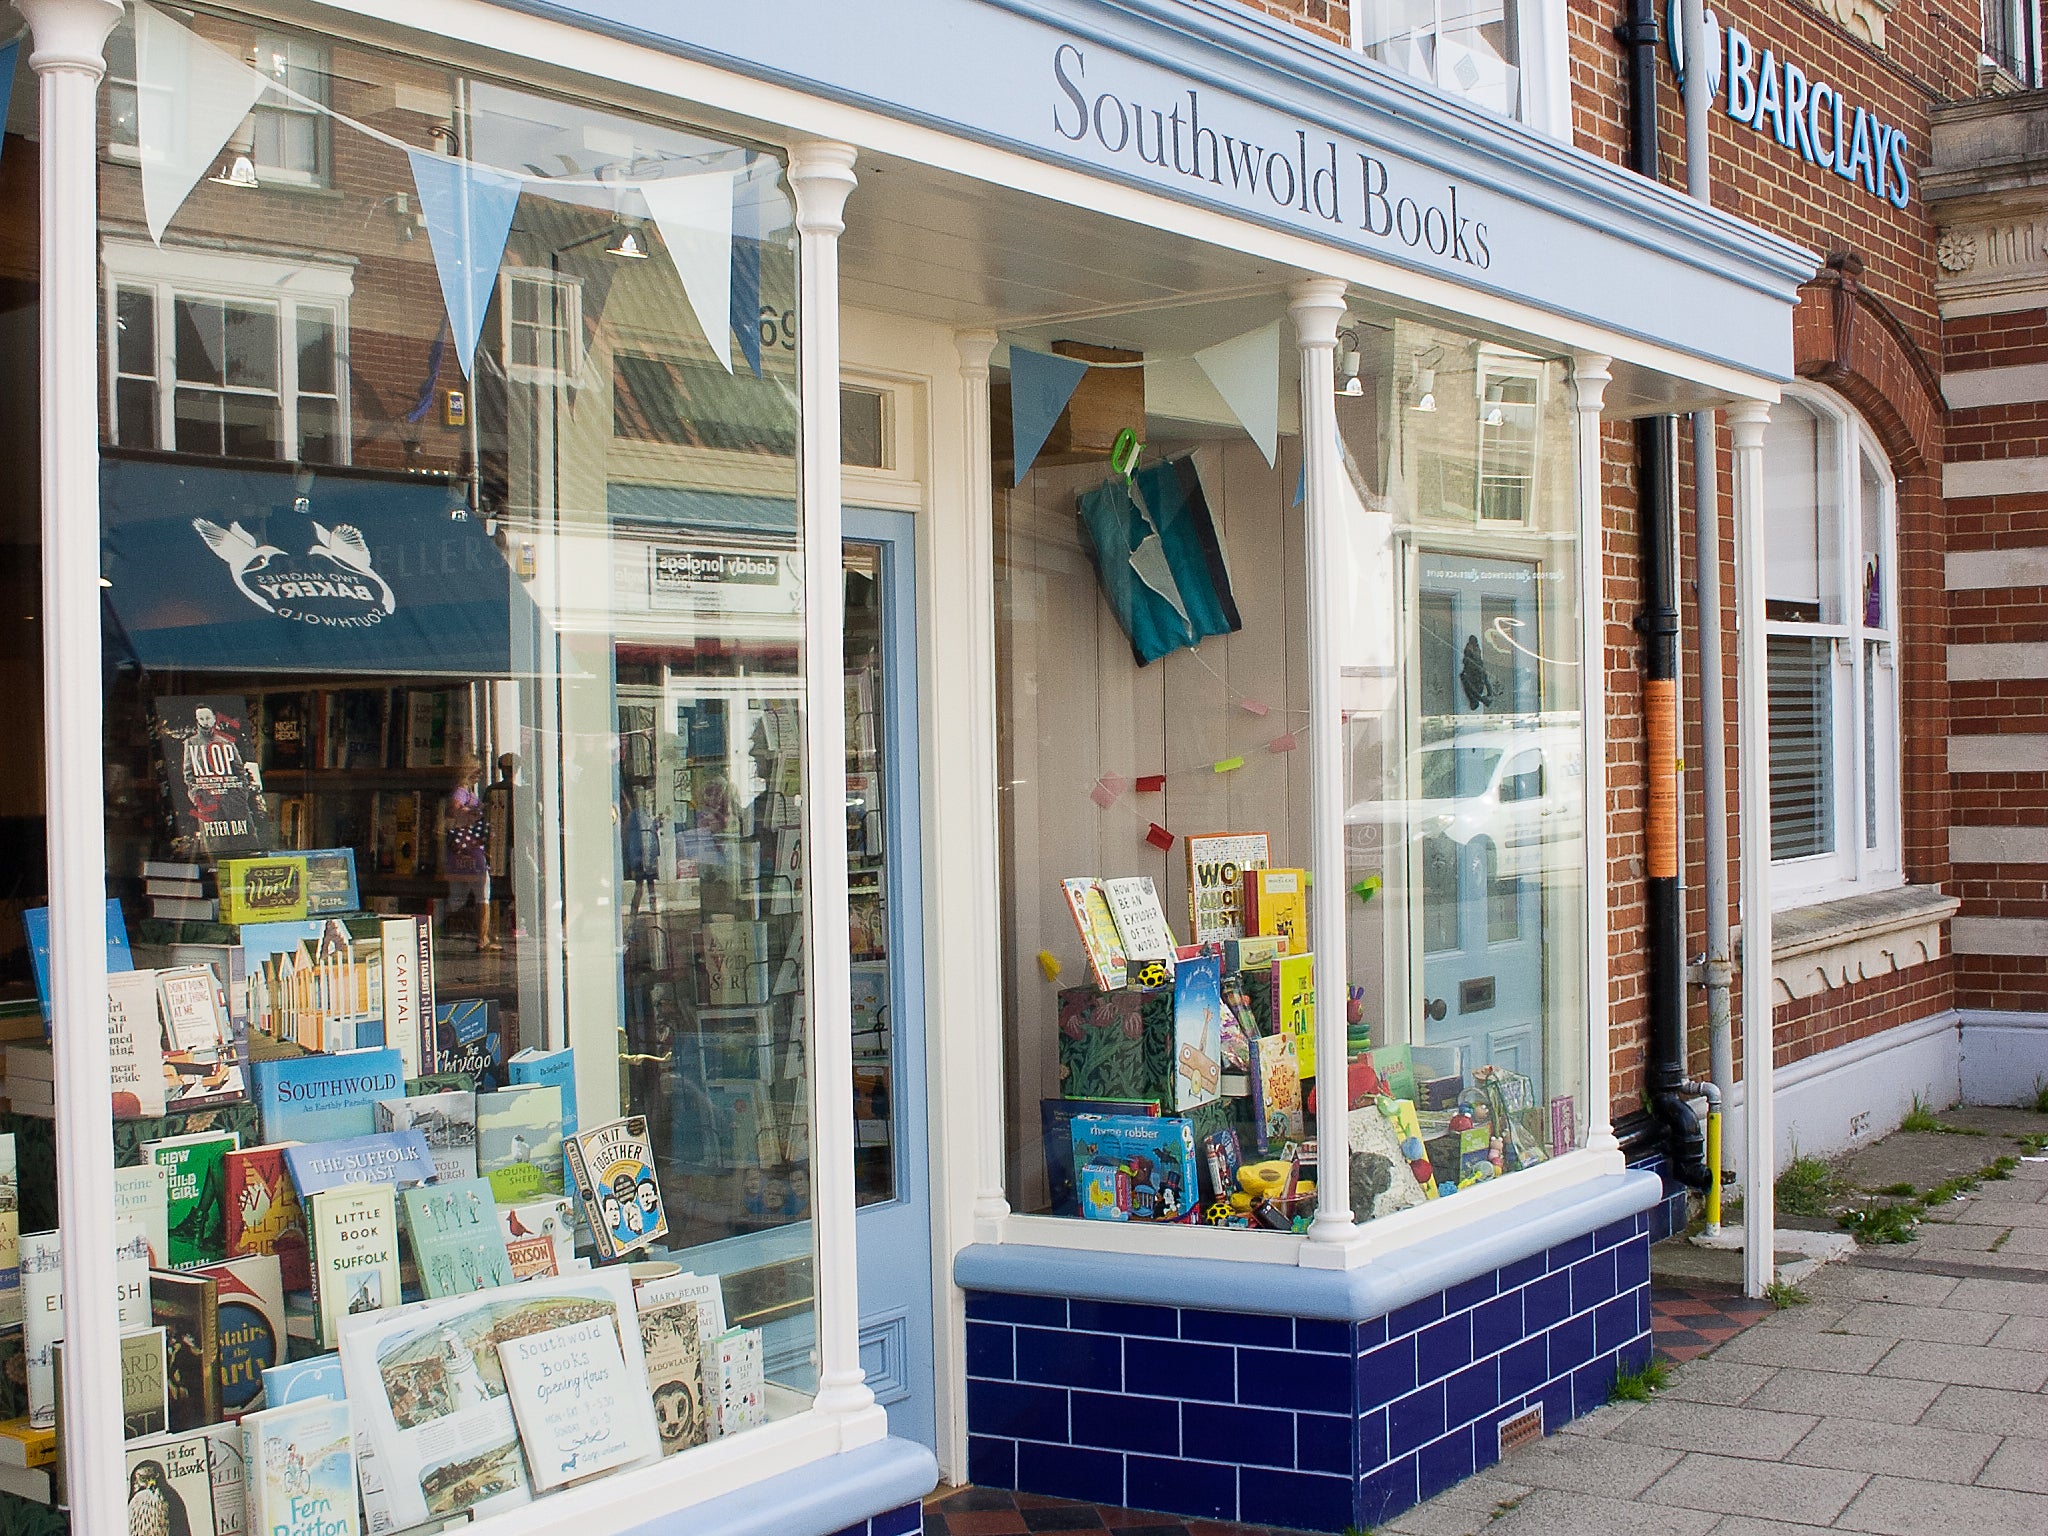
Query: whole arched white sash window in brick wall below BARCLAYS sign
<point x="1830" y="644"/>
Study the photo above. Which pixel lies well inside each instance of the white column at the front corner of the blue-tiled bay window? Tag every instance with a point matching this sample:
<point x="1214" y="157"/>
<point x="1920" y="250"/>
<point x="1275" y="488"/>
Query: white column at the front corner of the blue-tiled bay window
<point x="1318" y="310"/>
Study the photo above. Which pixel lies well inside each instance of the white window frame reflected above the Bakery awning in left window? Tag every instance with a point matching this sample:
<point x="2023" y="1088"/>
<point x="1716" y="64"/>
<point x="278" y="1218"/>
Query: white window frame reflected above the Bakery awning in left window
<point x="286" y="288"/>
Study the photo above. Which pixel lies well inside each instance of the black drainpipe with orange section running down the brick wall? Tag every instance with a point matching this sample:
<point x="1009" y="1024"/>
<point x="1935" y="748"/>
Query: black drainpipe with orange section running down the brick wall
<point x="1664" y="906"/>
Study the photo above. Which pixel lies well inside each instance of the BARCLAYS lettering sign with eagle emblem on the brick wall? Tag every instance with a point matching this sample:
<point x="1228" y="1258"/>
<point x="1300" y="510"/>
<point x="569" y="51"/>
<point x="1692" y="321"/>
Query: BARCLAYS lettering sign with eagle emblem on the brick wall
<point x="1770" y="95"/>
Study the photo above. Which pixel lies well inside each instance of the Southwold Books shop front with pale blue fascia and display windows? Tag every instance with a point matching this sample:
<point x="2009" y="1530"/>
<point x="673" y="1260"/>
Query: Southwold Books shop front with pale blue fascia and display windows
<point x="505" y="468"/>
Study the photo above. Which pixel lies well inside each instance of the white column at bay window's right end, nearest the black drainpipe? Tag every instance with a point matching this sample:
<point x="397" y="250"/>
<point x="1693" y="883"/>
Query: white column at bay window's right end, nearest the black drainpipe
<point x="1590" y="390"/>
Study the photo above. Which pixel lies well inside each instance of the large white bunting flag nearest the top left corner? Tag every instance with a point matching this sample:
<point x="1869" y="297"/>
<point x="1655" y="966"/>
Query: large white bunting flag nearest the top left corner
<point x="189" y="101"/>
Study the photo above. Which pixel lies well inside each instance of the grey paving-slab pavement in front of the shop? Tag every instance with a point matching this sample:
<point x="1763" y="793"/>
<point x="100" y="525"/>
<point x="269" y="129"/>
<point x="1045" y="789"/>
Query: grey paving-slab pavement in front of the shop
<point x="1906" y="1398"/>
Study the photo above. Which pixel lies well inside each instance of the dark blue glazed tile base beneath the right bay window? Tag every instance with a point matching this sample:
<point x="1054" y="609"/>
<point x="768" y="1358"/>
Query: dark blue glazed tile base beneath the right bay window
<point x="1289" y="1420"/>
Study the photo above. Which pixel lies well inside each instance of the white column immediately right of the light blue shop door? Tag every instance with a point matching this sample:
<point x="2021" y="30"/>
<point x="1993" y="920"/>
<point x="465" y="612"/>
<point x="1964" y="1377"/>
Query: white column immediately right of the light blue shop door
<point x="980" y="527"/>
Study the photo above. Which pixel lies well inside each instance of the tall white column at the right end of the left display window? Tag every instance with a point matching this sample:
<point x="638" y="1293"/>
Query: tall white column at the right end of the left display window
<point x="822" y="175"/>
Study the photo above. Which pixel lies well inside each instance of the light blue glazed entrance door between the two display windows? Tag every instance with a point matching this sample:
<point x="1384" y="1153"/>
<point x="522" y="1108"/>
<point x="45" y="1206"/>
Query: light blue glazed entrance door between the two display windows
<point x="894" y="1228"/>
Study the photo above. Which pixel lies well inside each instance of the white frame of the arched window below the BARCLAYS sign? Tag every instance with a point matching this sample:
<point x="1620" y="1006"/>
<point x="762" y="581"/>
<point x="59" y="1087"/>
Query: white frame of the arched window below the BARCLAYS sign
<point x="1857" y="865"/>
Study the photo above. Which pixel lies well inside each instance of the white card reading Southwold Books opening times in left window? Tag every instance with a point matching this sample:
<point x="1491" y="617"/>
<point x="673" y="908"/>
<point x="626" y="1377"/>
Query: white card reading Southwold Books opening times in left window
<point x="579" y="1408"/>
